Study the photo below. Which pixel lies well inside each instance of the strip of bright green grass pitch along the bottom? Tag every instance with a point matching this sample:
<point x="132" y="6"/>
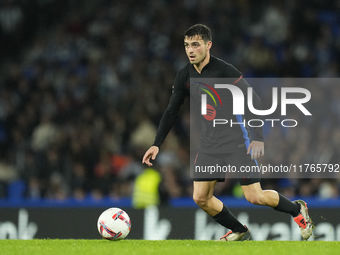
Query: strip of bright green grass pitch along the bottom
<point x="167" y="247"/>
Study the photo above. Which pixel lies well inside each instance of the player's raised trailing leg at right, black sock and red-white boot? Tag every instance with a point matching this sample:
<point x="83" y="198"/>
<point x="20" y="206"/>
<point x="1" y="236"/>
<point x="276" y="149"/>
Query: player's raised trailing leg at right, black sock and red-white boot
<point x="298" y="209"/>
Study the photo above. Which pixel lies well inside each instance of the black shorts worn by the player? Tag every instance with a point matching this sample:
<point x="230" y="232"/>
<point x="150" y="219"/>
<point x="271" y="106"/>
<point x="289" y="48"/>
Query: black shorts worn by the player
<point x="238" y="165"/>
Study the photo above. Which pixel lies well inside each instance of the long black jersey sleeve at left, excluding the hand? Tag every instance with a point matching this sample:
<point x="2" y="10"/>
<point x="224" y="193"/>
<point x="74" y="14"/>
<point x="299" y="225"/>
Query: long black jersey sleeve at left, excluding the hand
<point x="179" y="93"/>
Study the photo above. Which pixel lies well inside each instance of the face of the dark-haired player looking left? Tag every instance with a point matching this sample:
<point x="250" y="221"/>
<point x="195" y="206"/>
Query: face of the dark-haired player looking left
<point x="196" y="49"/>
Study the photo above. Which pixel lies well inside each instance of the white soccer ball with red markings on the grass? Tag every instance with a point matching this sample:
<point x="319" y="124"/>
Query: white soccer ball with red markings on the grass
<point x="114" y="224"/>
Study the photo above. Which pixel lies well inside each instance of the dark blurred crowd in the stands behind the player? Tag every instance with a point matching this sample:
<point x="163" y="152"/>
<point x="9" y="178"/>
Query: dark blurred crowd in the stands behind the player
<point x="83" y="86"/>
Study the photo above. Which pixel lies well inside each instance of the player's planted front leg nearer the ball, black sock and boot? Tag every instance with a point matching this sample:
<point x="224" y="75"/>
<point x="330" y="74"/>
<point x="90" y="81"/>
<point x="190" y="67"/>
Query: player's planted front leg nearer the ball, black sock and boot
<point x="204" y="198"/>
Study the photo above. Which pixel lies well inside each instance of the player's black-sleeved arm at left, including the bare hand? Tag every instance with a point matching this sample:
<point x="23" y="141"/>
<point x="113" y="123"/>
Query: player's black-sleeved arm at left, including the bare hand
<point x="167" y="121"/>
